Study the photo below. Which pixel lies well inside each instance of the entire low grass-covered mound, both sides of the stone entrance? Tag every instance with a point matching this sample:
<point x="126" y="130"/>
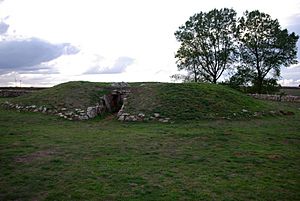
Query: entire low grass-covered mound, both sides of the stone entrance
<point x="177" y="101"/>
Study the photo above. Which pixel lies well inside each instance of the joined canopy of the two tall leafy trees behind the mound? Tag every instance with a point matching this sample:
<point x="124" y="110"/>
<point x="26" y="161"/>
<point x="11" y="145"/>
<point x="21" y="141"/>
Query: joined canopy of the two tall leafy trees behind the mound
<point x="212" y="42"/>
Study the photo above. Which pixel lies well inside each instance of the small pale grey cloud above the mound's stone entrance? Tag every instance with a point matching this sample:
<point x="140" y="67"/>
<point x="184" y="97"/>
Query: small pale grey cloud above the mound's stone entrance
<point x="119" y="66"/>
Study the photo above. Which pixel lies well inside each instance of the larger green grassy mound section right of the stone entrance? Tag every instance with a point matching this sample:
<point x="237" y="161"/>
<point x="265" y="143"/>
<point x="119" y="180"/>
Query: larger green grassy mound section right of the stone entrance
<point x="192" y="101"/>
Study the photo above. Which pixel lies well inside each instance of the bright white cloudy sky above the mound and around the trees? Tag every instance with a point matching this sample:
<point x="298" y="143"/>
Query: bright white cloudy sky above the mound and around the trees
<point x="46" y="42"/>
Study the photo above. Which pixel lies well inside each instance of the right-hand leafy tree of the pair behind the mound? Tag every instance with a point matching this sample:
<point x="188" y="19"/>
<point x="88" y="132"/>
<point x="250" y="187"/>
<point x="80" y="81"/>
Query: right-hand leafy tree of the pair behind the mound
<point x="264" y="47"/>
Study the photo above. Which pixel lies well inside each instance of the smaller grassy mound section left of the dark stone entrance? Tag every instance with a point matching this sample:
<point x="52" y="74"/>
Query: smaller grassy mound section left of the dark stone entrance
<point x="79" y="94"/>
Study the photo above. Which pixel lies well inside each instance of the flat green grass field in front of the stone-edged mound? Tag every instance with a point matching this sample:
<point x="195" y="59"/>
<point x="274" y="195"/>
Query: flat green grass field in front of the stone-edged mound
<point x="46" y="158"/>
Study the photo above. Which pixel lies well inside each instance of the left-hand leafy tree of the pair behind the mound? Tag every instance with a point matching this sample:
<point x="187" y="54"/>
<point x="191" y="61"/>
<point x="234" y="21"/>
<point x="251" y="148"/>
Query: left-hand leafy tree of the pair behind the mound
<point x="207" y="45"/>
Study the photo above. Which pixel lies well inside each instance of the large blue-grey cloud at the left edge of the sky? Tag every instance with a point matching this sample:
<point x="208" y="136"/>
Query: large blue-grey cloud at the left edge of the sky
<point x="30" y="54"/>
